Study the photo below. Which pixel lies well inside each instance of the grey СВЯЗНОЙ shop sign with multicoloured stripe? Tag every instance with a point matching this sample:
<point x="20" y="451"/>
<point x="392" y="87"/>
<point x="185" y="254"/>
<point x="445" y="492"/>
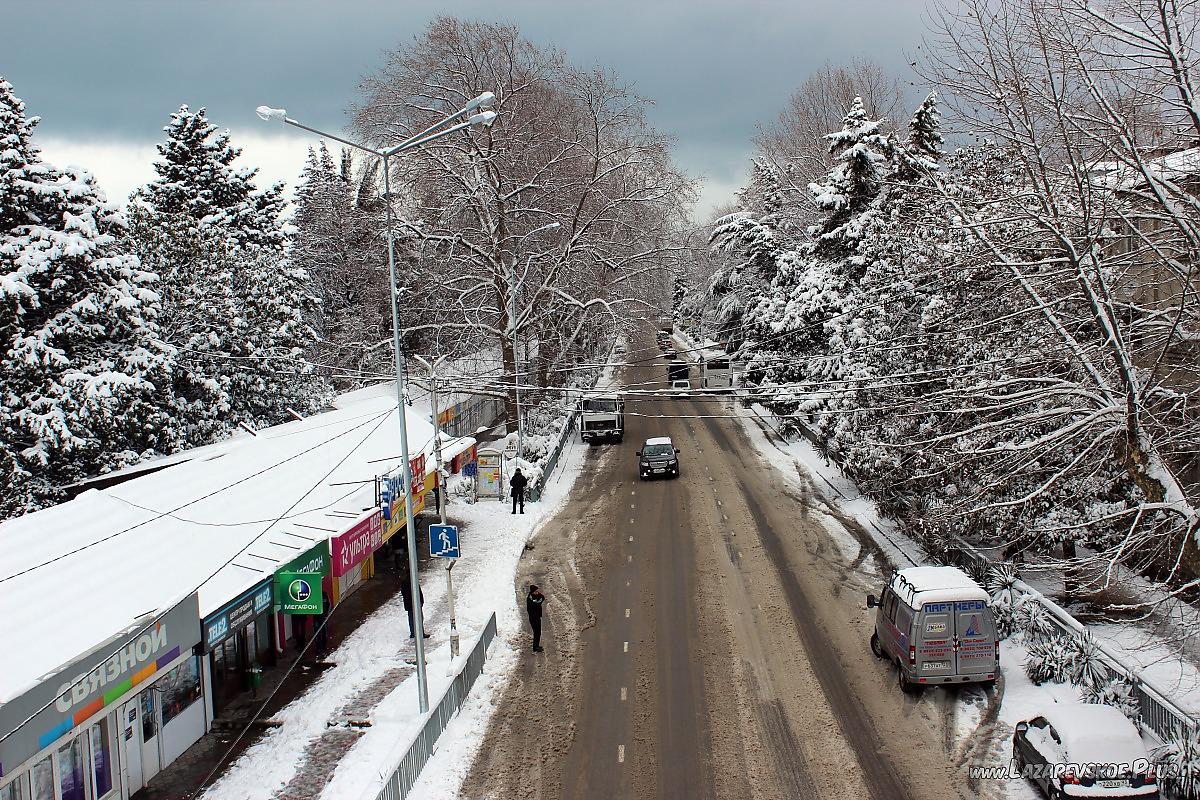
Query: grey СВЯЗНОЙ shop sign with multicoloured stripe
<point x="75" y="694"/>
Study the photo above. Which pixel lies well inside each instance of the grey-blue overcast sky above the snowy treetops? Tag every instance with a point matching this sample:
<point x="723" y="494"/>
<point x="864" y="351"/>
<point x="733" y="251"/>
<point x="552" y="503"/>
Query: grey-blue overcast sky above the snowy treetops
<point x="105" y="77"/>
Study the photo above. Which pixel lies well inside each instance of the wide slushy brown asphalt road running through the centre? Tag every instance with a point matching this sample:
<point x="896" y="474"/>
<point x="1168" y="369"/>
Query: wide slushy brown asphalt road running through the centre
<point x="706" y="639"/>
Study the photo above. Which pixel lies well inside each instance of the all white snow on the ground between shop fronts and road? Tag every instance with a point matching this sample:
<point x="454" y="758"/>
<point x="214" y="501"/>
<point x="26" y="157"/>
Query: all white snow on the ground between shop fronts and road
<point x="493" y="543"/>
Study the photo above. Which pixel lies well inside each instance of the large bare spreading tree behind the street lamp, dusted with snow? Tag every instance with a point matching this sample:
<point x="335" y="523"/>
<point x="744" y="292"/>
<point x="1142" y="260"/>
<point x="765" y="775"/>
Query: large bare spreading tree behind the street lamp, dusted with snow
<point x="569" y="147"/>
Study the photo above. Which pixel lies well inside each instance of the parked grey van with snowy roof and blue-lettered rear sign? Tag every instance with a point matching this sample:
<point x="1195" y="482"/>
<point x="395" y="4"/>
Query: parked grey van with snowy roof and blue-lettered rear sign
<point x="935" y="624"/>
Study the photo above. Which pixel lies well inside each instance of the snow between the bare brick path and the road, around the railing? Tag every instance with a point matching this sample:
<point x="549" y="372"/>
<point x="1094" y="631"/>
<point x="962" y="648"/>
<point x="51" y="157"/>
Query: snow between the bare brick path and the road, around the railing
<point x="494" y="540"/>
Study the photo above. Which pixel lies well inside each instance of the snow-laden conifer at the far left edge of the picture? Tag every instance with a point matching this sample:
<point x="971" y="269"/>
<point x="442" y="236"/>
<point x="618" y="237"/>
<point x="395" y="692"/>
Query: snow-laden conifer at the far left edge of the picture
<point x="86" y="380"/>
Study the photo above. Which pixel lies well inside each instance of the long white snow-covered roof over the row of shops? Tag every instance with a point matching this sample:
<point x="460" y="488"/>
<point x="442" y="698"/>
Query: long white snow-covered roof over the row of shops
<point x="74" y="575"/>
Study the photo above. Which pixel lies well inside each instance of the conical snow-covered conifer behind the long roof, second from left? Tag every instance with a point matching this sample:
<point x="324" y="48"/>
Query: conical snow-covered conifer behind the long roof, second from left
<point x="233" y="305"/>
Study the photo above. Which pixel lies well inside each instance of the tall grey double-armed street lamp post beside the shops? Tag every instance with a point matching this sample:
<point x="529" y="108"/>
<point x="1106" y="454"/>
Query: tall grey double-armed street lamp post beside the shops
<point x="429" y="135"/>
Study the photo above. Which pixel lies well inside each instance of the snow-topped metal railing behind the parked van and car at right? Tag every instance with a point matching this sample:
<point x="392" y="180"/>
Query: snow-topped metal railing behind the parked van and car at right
<point x="1160" y="714"/>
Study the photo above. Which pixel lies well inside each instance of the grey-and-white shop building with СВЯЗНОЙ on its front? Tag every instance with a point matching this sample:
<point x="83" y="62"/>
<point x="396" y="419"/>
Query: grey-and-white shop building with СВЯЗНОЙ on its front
<point x="100" y="727"/>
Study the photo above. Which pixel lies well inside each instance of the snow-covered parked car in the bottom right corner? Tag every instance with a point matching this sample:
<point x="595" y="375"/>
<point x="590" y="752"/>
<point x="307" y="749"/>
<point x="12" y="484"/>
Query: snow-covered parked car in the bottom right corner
<point x="1071" y="750"/>
